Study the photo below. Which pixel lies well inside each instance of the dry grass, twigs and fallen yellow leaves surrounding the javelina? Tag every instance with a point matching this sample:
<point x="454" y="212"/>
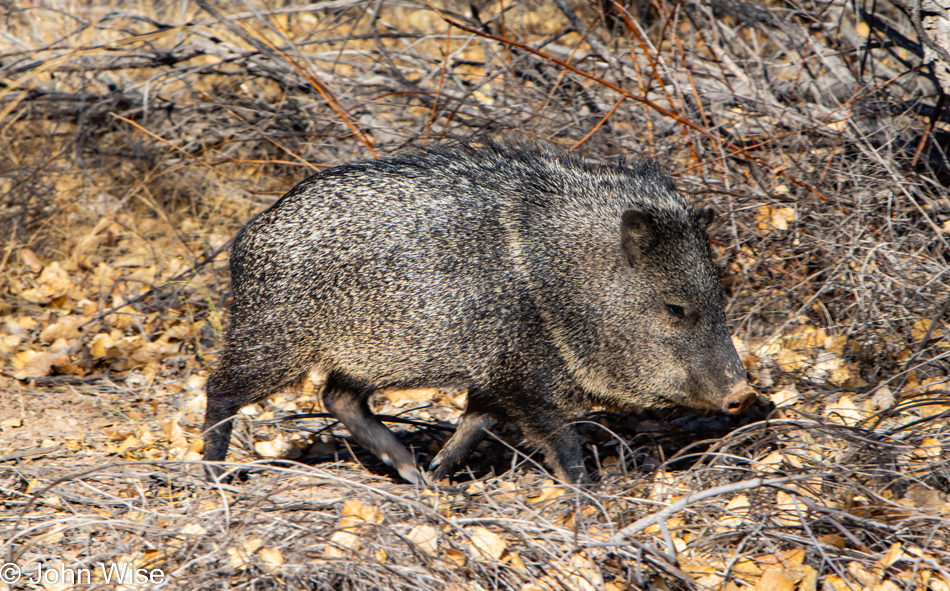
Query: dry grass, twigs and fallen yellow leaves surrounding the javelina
<point x="137" y="138"/>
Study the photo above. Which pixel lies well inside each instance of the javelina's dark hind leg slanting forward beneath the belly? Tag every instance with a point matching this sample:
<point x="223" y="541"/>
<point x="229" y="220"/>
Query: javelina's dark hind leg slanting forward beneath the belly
<point x="351" y="409"/>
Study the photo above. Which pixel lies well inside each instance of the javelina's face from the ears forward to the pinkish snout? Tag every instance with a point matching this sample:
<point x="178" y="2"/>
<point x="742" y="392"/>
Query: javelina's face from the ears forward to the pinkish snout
<point x="675" y="306"/>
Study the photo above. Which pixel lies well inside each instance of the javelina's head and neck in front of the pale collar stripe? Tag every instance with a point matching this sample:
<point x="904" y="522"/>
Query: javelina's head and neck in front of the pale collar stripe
<point x="637" y="310"/>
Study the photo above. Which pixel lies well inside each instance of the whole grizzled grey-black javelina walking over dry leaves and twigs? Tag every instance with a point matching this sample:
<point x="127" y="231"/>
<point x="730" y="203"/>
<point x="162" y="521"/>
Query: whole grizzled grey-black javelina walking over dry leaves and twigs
<point x="542" y="281"/>
